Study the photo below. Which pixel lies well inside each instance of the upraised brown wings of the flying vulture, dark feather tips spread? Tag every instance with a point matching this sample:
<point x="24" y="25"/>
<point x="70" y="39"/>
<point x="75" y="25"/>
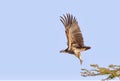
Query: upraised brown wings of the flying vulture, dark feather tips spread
<point x="72" y="30"/>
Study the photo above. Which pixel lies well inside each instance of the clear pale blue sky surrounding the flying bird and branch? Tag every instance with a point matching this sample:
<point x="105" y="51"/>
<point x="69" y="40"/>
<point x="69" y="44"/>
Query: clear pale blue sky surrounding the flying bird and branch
<point x="31" y="36"/>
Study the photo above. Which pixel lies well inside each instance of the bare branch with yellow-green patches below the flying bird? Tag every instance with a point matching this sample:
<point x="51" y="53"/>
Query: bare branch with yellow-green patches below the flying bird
<point x="112" y="71"/>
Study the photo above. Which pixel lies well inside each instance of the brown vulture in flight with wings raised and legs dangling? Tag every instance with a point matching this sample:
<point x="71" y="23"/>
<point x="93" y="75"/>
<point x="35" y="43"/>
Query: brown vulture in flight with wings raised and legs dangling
<point x="75" y="41"/>
